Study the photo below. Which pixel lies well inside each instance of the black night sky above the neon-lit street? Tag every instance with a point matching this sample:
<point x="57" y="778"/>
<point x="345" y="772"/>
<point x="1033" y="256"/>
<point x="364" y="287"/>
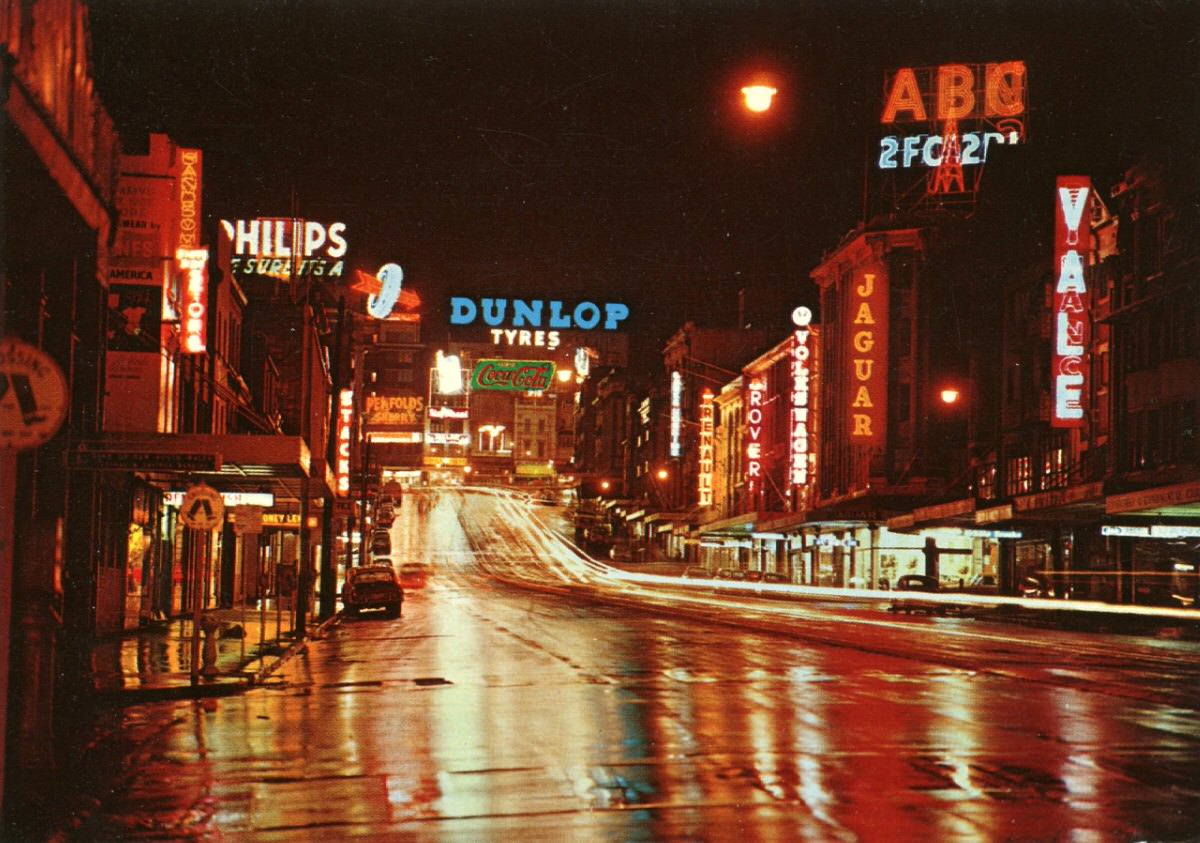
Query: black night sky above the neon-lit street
<point x="586" y="150"/>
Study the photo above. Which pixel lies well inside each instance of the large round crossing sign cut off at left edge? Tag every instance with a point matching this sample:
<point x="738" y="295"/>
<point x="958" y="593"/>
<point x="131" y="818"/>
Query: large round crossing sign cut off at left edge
<point x="33" y="396"/>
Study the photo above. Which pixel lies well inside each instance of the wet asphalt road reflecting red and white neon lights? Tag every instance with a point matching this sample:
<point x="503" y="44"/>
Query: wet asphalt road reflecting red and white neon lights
<point x="489" y="713"/>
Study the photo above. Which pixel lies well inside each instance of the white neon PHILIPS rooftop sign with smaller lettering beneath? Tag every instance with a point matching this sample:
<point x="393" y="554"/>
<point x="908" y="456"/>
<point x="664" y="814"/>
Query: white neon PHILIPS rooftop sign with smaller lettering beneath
<point x="286" y="248"/>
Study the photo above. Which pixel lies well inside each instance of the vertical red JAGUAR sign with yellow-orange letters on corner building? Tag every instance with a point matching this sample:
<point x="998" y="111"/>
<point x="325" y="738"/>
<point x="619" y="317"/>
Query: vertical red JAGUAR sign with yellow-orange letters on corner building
<point x="868" y="332"/>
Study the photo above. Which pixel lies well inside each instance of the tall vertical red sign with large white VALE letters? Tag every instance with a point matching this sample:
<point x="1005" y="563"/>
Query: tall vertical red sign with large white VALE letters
<point x="1072" y="243"/>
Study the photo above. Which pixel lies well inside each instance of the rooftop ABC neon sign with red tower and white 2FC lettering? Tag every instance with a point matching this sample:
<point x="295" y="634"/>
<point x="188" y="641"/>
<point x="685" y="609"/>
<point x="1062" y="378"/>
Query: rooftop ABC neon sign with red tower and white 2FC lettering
<point x="944" y="123"/>
